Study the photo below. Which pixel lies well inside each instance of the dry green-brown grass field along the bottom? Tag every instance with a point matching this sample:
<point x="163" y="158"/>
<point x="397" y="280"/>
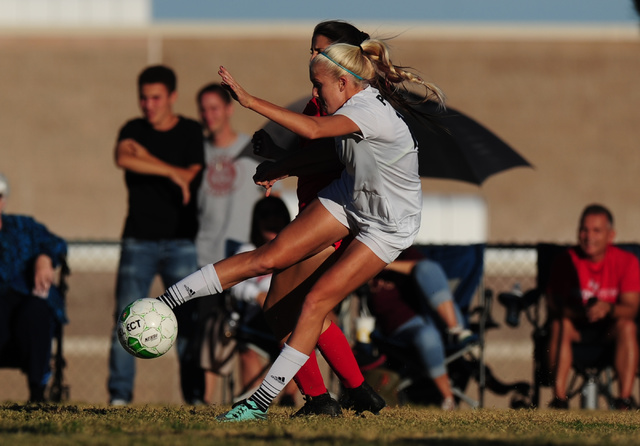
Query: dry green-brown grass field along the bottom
<point x="51" y="425"/>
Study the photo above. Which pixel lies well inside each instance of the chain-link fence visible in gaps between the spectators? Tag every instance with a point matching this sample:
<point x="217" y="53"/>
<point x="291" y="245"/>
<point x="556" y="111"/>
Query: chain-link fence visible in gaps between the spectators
<point x="90" y="306"/>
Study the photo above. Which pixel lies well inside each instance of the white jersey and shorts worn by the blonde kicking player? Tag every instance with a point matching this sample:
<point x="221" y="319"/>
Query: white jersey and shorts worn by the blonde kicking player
<point x="380" y="189"/>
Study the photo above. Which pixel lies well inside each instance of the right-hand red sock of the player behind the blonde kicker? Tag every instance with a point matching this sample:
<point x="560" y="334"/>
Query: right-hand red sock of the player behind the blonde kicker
<point x="336" y="350"/>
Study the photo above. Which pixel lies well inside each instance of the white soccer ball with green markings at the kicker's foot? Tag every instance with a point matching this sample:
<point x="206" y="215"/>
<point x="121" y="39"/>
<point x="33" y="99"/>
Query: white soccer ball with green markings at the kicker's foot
<point x="147" y="328"/>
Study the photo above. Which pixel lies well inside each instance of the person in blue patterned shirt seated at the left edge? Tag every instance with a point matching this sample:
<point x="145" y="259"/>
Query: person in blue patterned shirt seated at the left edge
<point x="29" y="254"/>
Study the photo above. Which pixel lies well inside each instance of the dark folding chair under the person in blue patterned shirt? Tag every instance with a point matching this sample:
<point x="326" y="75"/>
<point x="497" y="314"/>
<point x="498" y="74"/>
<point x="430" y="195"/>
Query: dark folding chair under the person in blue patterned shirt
<point x="57" y="390"/>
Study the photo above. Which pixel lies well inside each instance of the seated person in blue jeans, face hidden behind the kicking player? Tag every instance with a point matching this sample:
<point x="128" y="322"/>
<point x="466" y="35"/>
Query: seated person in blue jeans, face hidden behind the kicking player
<point x="410" y="300"/>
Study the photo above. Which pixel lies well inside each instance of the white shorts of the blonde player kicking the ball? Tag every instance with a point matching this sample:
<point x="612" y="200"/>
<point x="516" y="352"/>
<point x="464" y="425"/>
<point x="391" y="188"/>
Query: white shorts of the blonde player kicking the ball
<point x="386" y="245"/>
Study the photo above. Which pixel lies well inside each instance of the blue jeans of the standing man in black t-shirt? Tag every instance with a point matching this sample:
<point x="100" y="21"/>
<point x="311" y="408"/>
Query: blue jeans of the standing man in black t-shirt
<point x="140" y="261"/>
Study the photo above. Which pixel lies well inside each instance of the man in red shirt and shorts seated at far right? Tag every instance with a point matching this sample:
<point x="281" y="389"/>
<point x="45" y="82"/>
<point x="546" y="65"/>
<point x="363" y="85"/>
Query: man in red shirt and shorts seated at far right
<point x="593" y="295"/>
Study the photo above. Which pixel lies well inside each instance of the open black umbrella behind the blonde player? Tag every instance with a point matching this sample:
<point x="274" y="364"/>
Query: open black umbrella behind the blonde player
<point x="458" y="149"/>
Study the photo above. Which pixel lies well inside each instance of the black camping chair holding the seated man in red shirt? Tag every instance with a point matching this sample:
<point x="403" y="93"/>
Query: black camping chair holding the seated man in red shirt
<point x="592" y="370"/>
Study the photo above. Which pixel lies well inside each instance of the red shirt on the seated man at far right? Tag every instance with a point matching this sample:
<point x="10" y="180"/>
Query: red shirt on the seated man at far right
<point x="578" y="279"/>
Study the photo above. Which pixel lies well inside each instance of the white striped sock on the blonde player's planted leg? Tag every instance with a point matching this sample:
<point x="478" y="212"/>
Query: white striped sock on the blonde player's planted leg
<point x="279" y="375"/>
